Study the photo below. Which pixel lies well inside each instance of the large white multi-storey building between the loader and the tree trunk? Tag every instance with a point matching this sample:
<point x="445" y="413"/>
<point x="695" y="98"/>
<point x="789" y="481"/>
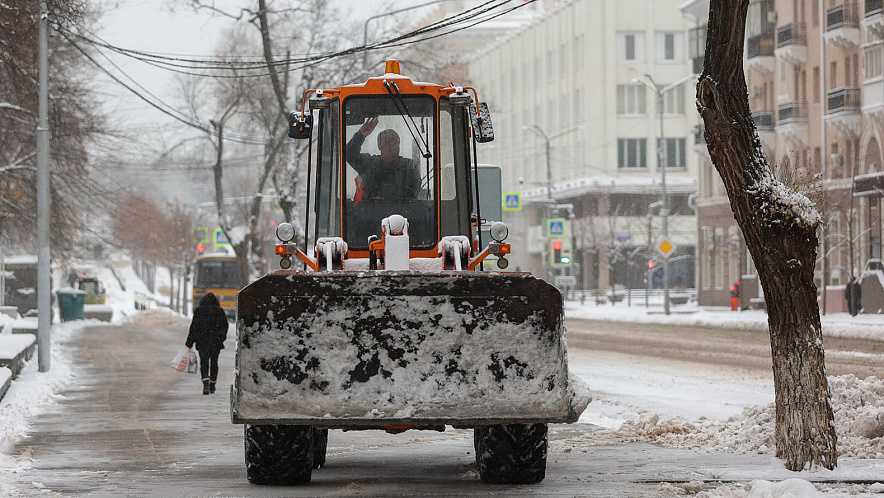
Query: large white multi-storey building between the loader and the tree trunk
<point x="577" y="135"/>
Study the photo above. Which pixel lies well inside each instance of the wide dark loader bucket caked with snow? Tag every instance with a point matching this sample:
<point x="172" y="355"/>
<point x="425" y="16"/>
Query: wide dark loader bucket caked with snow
<point x="371" y="349"/>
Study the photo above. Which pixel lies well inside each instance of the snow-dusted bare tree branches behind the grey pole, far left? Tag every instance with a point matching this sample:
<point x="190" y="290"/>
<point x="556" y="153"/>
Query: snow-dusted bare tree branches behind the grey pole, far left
<point x="74" y="123"/>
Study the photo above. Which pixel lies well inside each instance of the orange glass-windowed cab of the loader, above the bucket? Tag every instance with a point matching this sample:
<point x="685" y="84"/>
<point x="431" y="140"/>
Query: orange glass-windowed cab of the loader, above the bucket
<point x="397" y="150"/>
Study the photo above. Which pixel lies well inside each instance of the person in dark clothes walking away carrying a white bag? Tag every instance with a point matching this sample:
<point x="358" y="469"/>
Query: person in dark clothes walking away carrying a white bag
<point x="208" y="330"/>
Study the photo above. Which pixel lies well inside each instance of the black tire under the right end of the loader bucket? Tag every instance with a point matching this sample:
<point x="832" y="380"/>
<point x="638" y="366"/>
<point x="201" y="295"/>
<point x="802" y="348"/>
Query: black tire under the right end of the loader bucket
<point x="511" y="453"/>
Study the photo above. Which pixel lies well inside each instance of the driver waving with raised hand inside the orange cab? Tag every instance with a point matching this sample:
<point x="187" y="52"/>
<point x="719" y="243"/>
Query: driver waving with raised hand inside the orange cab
<point x="388" y="176"/>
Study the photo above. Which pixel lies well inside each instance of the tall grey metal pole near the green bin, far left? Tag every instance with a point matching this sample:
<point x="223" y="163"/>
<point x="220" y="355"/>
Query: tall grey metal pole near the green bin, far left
<point x="44" y="302"/>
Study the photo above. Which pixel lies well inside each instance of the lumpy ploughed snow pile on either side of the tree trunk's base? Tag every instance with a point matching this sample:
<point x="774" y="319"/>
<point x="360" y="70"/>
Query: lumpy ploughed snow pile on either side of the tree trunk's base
<point x="859" y="421"/>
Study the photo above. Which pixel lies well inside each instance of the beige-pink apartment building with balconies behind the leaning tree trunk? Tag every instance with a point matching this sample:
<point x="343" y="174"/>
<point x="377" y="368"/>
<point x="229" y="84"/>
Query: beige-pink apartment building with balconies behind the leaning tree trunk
<point x="815" y="75"/>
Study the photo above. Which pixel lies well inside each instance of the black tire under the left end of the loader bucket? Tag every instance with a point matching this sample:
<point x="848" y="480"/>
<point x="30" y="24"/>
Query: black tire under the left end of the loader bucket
<point x="279" y="454"/>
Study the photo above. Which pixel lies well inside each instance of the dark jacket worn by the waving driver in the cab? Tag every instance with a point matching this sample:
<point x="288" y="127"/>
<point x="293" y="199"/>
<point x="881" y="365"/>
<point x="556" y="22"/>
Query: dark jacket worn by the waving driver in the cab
<point x="399" y="179"/>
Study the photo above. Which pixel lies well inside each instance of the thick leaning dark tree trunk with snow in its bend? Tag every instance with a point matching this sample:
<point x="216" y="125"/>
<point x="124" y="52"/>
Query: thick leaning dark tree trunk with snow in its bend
<point x="779" y="227"/>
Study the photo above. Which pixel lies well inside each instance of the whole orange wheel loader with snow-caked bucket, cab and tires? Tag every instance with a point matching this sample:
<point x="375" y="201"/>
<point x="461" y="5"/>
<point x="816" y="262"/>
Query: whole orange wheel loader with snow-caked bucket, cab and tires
<point x="390" y="321"/>
